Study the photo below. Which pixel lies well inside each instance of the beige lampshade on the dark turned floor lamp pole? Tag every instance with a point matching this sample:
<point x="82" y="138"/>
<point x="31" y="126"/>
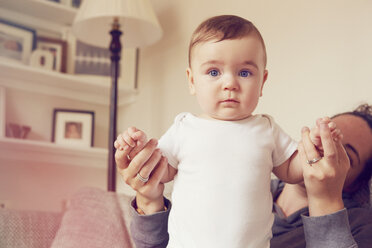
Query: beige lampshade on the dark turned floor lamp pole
<point x="137" y="20"/>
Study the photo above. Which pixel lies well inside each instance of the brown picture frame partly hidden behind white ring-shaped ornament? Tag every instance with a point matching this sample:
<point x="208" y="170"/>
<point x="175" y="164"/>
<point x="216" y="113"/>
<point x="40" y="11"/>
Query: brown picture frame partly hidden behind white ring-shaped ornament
<point x="58" y="48"/>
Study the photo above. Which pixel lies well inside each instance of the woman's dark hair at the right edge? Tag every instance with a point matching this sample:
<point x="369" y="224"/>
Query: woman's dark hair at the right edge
<point x="363" y="111"/>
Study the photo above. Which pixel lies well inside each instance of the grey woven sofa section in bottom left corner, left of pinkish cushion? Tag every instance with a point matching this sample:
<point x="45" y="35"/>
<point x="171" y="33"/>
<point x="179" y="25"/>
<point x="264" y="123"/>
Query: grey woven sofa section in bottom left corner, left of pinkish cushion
<point x="28" y="229"/>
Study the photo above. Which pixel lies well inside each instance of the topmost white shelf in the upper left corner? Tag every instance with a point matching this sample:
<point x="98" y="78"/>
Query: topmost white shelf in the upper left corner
<point x="44" y="10"/>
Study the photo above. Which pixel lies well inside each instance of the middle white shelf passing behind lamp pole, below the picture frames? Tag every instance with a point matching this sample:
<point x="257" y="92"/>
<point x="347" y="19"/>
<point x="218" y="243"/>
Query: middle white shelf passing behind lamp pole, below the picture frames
<point x="79" y="88"/>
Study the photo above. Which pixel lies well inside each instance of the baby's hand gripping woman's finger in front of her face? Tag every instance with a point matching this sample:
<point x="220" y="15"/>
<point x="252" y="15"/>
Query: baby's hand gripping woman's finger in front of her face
<point x="315" y="132"/>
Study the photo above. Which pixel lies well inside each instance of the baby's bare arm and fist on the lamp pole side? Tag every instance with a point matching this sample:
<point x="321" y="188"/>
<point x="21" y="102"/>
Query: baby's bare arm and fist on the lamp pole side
<point x="135" y="139"/>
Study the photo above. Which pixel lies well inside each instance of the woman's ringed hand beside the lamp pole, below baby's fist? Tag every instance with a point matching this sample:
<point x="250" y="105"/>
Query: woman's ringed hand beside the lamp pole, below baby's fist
<point x="149" y="163"/>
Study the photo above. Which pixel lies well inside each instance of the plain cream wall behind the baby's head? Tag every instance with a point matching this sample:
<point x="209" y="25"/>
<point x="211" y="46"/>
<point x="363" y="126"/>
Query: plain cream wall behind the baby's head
<point x="319" y="58"/>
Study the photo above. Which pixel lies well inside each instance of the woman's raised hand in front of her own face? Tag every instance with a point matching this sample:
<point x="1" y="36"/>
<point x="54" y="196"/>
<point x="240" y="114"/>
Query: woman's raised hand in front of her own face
<point x="325" y="178"/>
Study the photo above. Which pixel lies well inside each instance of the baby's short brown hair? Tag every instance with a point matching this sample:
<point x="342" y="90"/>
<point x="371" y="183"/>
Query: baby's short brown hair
<point x="224" y="27"/>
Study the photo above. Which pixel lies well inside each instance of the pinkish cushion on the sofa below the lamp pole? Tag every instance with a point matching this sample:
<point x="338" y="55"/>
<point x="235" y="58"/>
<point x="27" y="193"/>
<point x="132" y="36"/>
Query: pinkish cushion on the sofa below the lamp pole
<point x="95" y="218"/>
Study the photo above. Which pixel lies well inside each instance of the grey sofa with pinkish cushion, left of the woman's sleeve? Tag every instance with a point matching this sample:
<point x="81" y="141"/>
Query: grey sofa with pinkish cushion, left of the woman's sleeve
<point x="94" y="218"/>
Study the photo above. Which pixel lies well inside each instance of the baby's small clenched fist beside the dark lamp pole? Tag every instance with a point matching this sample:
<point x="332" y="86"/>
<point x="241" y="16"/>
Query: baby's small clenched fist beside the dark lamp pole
<point x="130" y="138"/>
